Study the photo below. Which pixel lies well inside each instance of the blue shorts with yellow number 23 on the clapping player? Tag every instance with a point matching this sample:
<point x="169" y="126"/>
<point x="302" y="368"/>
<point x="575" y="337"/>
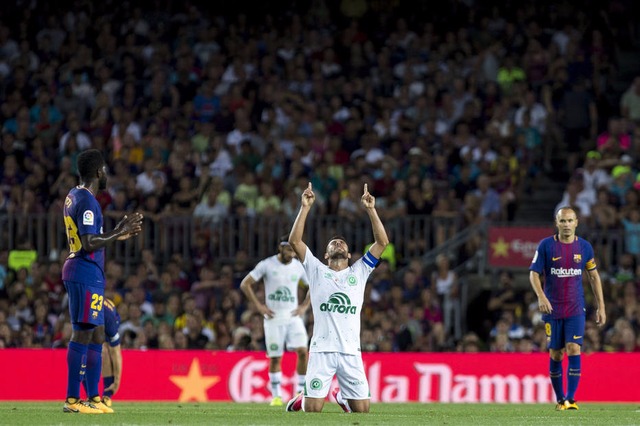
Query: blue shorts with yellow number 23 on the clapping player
<point x="85" y="303"/>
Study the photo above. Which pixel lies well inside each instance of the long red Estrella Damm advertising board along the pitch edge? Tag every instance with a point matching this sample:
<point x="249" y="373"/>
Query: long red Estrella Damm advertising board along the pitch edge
<point x="393" y="377"/>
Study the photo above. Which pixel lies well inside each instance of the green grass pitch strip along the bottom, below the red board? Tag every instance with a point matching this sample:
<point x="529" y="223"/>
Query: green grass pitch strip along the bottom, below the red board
<point x="153" y="413"/>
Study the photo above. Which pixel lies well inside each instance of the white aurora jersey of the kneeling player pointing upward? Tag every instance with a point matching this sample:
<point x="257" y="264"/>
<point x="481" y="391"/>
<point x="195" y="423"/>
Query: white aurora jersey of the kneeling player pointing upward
<point x="336" y="300"/>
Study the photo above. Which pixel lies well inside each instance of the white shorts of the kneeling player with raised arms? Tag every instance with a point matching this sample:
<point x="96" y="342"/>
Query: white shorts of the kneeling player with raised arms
<point x="349" y="369"/>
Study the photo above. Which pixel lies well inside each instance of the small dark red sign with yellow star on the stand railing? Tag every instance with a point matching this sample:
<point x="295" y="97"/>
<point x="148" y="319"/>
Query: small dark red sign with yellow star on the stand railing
<point x="514" y="247"/>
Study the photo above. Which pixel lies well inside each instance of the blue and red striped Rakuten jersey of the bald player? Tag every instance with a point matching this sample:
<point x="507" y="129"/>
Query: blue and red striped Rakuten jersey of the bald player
<point x="562" y="265"/>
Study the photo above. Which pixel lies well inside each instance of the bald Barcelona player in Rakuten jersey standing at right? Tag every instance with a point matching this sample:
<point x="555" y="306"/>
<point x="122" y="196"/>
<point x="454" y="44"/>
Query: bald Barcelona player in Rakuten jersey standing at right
<point x="562" y="259"/>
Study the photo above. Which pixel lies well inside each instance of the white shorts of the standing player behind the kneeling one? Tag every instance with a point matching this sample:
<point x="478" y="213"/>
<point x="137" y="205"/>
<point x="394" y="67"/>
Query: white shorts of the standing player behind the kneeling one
<point x="278" y="334"/>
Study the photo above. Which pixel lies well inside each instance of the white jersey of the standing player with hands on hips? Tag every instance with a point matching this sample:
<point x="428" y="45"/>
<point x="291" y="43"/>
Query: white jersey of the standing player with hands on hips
<point x="280" y="284"/>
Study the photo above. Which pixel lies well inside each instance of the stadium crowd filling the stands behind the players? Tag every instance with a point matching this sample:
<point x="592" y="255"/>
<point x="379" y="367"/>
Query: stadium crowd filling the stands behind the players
<point x="451" y="109"/>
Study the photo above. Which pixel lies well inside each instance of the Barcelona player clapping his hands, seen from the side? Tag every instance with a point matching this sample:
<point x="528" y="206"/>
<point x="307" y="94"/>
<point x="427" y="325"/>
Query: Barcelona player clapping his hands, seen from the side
<point x="83" y="277"/>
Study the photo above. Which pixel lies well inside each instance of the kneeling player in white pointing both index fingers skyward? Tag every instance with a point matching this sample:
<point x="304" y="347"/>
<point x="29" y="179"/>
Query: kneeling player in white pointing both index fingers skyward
<point x="337" y="295"/>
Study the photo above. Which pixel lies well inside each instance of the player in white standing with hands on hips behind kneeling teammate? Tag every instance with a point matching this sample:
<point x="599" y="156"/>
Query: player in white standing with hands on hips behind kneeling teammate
<point x="283" y="324"/>
